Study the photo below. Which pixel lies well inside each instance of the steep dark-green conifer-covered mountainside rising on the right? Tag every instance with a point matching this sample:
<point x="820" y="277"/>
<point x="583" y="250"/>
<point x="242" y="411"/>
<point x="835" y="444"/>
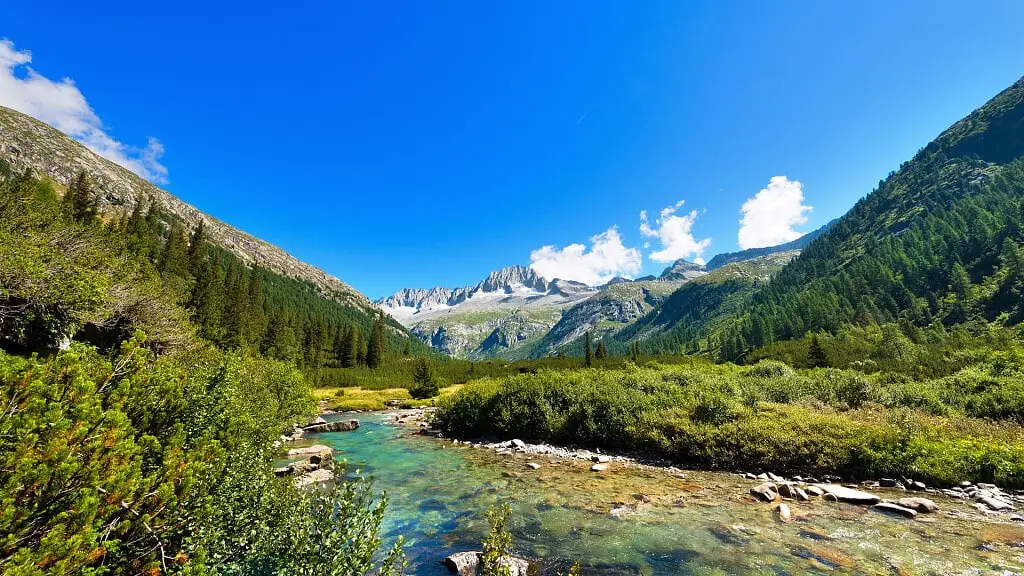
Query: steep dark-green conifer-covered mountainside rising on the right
<point x="938" y="241"/>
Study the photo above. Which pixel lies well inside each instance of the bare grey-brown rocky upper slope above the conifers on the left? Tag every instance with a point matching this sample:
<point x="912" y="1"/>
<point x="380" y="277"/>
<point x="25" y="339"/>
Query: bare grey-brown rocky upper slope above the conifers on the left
<point x="27" y="143"/>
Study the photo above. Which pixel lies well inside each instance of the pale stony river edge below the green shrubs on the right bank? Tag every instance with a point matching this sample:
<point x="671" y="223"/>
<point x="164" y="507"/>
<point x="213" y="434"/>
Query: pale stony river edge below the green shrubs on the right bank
<point x="909" y="498"/>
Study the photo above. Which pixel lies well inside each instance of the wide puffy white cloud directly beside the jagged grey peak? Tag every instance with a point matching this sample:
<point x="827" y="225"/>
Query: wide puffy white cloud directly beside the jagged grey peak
<point x="607" y="259"/>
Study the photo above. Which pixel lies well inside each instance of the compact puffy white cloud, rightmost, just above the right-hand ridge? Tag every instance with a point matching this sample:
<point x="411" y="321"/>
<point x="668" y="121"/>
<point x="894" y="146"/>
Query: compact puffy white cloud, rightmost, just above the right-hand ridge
<point x="772" y="214"/>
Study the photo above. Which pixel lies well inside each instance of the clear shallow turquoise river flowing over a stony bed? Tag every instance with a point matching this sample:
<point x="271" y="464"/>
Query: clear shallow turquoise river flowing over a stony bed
<point x="704" y="524"/>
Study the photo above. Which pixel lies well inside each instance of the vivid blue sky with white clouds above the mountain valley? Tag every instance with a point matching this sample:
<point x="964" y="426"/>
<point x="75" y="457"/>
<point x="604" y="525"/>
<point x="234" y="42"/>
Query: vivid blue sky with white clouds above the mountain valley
<point x="414" y="144"/>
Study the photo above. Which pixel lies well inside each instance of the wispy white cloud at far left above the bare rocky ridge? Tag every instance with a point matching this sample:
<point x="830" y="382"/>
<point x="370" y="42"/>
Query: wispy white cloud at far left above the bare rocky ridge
<point x="63" y="106"/>
